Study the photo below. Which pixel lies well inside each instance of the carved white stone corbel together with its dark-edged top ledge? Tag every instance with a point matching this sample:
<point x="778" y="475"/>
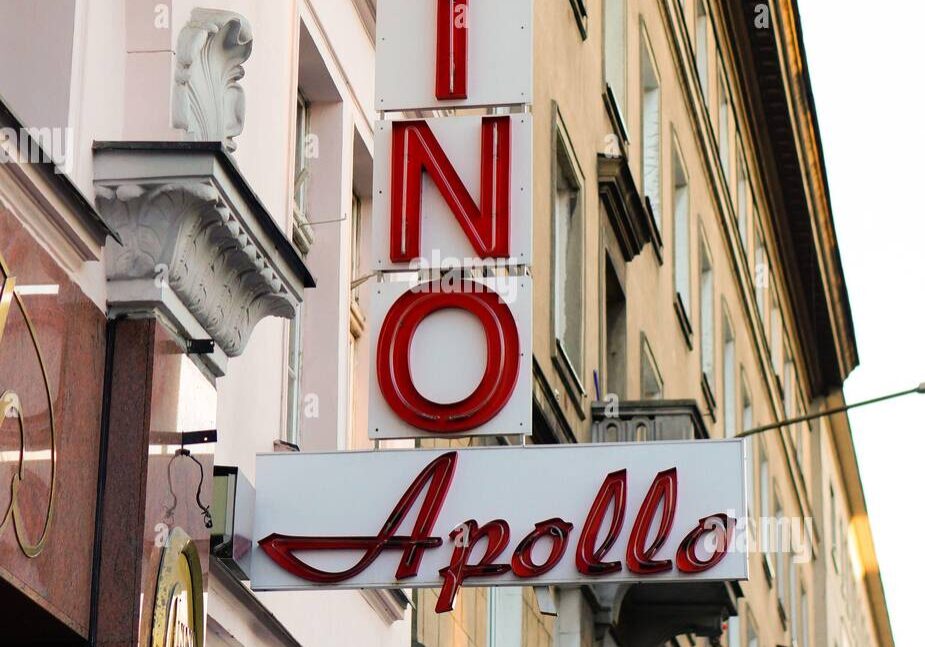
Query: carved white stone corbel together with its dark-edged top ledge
<point x="197" y="247"/>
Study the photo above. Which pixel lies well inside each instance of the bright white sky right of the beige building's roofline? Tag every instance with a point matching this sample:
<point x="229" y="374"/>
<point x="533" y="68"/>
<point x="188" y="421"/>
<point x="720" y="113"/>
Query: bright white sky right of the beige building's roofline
<point x="866" y="65"/>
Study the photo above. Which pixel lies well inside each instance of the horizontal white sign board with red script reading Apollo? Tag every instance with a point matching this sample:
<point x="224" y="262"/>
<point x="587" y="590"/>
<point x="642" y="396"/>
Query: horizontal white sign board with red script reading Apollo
<point x="519" y="516"/>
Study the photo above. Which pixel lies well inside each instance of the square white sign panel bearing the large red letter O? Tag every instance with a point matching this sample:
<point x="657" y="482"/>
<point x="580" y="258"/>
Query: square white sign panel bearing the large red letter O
<point x="465" y="367"/>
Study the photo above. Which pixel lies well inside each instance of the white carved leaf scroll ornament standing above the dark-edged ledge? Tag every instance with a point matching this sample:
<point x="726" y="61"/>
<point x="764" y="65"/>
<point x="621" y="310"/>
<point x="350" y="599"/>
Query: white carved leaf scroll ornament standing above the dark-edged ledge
<point x="208" y="101"/>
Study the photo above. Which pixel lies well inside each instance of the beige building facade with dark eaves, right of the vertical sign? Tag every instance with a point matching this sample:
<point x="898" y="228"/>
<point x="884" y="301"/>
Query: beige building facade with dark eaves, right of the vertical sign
<point x="682" y="210"/>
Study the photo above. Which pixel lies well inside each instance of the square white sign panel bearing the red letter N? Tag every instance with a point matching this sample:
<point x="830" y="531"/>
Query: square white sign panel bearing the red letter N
<point x="453" y="191"/>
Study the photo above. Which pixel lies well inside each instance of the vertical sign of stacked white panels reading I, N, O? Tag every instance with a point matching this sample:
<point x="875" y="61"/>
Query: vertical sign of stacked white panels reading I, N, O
<point x="452" y="348"/>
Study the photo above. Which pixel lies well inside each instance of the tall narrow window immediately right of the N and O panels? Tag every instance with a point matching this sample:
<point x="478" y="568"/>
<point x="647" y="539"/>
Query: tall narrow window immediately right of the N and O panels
<point x="568" y="261"/>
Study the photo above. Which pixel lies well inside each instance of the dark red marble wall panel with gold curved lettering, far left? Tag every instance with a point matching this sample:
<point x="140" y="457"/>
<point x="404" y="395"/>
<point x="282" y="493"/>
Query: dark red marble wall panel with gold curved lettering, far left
<point x="51" y="386"/>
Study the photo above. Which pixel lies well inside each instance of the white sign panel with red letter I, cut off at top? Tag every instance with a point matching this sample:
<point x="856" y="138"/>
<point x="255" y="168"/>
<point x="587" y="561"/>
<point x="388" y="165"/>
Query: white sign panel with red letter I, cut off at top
<point x="453" y="53"/>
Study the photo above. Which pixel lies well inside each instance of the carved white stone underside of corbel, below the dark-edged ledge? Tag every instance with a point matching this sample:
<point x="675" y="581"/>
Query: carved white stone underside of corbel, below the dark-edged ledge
<point x="183" y="234"/>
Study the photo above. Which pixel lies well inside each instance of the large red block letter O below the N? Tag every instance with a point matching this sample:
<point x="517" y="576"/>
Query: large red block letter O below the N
<point x="393" y="361"/>
